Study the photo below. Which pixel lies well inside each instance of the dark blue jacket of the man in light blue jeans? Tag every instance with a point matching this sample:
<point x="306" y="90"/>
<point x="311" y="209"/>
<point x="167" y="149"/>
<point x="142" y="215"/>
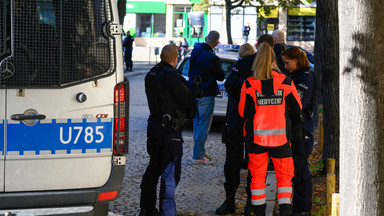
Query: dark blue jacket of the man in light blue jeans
<point x="205" y="63"/>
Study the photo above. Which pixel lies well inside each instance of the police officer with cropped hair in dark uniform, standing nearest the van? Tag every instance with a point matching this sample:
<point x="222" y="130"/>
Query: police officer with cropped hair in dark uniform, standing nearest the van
<point x="170" y="101"/>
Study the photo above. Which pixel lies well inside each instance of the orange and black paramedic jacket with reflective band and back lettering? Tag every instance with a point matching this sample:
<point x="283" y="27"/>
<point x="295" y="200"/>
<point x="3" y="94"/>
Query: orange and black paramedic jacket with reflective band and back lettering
<point x="268" y="107"/>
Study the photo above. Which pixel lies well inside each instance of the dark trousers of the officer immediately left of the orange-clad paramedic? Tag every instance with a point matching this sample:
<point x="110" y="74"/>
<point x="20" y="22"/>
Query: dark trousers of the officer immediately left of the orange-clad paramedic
<point x="234" y="161"/>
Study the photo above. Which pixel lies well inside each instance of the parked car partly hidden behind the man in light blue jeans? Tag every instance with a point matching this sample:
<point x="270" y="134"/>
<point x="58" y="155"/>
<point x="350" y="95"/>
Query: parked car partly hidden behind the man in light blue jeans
<point x="228" y="59"/>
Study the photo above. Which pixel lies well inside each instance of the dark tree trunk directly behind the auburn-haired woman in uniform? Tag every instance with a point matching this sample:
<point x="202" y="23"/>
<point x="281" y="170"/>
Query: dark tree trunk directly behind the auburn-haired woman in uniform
<point x="327" y="71"/>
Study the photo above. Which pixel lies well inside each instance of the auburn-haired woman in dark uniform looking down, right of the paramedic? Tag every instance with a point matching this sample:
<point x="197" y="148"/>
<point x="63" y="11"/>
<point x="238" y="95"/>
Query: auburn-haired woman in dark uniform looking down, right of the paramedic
<point x="296" y="62"/>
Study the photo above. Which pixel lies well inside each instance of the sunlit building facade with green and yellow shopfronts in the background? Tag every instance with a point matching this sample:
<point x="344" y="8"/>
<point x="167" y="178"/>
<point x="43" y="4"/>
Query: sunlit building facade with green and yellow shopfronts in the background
<point x="157" y="22"/>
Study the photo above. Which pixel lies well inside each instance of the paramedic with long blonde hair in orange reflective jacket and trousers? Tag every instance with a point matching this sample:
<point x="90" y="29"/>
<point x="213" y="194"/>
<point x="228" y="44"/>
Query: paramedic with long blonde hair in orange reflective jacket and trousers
<point x="270" y="104"/>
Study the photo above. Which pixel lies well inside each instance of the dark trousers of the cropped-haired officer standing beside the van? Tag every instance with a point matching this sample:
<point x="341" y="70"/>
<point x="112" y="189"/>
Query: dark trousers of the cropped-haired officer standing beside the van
<point x="164" y="147"/>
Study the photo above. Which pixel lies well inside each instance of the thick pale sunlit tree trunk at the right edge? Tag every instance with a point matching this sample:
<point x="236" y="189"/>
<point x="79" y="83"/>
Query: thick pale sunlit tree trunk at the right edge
<point x="361" y="107"/>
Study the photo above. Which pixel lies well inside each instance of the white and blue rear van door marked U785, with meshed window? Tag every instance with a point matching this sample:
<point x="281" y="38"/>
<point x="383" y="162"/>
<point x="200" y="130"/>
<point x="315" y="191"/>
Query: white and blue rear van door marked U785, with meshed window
<point x="59" y="102"/>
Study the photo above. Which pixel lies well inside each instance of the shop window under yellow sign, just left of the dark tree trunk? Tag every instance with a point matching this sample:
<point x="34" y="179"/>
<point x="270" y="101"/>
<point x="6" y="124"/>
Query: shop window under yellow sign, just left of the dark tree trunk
<point x="301" y="24"/>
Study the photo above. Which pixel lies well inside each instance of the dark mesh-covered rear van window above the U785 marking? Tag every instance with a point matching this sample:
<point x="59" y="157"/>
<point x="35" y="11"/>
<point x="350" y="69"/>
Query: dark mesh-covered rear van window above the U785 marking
<point x="56" y="46"/>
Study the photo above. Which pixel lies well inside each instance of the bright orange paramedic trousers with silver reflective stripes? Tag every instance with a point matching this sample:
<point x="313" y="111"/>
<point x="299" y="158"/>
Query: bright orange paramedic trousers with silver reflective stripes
<point x="283" y="164"/>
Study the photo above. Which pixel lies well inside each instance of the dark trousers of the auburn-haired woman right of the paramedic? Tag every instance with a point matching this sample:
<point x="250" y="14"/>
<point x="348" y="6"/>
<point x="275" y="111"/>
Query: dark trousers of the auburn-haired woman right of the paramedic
<point x="302" y="182"/>
